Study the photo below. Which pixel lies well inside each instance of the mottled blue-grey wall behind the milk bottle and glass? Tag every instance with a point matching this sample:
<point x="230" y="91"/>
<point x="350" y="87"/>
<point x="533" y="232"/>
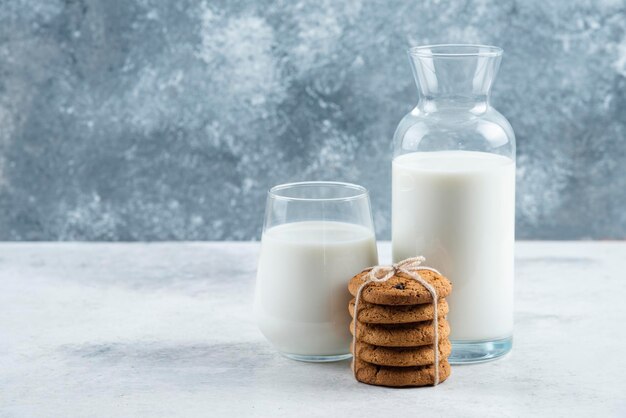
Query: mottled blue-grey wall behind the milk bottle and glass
<point x="157" y="120"/>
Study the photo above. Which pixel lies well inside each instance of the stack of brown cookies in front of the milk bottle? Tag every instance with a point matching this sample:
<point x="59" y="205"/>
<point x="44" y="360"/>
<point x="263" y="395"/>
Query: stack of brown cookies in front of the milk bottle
<point x="395" y="333"/>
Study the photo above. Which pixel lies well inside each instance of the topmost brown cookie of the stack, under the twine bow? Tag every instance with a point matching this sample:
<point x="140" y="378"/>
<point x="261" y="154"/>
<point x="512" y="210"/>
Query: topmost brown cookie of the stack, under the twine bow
<point x="400" y="289"/>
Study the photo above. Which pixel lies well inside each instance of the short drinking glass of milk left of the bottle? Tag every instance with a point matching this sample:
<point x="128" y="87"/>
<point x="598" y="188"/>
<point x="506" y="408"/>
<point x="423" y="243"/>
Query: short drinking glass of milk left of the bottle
<point x="316" y="236"/>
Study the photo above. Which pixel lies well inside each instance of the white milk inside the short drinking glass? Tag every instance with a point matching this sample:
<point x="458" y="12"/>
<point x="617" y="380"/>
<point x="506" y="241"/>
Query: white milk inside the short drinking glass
<point x="302" y="284"/>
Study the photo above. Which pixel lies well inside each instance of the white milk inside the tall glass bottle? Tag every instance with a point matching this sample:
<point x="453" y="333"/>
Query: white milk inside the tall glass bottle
<point x="457" y="208"/>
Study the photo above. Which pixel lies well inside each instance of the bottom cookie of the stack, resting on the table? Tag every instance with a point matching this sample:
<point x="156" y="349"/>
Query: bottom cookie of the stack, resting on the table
<point x="399" y="376"/>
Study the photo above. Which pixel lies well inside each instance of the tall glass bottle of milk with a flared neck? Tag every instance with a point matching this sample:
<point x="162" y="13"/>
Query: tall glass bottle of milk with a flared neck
<point x="453" y="193"/>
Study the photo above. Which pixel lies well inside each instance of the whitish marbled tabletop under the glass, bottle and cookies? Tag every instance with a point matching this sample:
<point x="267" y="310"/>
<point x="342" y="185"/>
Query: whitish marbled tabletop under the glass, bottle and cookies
<point x="164" y="330"/>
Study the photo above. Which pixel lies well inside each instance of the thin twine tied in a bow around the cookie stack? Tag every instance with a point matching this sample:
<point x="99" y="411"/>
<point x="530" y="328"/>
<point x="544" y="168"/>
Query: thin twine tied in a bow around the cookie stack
<point x="410" y="267"/>
